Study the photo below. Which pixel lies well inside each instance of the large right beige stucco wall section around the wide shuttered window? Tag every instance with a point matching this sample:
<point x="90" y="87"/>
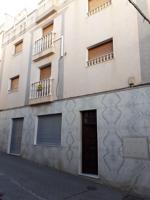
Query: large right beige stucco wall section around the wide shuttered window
<point x="119" y="21"/>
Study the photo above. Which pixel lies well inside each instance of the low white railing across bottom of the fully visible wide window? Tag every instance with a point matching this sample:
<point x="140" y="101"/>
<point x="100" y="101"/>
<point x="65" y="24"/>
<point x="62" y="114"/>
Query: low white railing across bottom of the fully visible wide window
<point x="100" y="59"/>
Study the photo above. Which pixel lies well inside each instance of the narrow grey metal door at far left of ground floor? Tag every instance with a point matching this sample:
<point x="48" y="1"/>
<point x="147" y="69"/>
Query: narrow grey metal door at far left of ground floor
<point x="16" y="136"/>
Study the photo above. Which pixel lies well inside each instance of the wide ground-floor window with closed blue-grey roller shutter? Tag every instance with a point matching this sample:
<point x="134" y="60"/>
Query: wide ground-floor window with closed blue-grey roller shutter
<point x="49" y="129"/>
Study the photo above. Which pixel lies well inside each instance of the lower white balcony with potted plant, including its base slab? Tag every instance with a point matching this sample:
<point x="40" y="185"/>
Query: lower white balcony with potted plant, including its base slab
<point x="41" y="91"/>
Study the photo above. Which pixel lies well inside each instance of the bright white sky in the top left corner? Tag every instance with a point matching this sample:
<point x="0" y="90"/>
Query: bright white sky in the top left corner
<point x="12" y="7"/>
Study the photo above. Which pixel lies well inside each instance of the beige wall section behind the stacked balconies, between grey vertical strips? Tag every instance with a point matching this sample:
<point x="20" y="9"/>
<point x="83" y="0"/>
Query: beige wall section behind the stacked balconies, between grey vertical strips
<point x="53" y="59"/>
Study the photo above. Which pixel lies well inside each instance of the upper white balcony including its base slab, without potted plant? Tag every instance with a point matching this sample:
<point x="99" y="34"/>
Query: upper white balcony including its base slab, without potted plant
<point x="44" y="47"/>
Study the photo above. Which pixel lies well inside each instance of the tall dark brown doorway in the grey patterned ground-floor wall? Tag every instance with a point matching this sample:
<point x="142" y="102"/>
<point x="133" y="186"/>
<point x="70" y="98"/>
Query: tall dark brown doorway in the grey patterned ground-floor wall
<point x="89" y="143"/>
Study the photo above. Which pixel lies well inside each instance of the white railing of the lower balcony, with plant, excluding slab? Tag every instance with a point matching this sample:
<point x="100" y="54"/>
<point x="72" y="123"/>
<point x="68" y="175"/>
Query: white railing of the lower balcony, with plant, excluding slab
<point x="41" y="88"/>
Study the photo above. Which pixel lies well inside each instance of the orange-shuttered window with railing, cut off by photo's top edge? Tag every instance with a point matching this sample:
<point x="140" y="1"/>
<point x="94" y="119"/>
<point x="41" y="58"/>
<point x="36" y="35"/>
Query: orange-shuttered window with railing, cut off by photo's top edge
<point x="97" y="5"/>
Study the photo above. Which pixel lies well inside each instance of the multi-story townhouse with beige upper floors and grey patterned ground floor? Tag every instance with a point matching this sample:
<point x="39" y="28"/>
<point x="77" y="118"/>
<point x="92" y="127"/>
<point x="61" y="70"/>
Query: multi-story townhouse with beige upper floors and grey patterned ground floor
<point x="71" y="93"/>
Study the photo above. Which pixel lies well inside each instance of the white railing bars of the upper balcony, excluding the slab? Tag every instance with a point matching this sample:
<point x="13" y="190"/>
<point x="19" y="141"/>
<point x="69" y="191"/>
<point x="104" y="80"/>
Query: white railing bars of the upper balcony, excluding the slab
<point x="44" y="43"/>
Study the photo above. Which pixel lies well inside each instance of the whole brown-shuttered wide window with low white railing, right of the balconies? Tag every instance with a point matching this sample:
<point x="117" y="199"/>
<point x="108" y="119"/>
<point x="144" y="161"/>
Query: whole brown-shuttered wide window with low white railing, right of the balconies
<point x="100" y="53"/>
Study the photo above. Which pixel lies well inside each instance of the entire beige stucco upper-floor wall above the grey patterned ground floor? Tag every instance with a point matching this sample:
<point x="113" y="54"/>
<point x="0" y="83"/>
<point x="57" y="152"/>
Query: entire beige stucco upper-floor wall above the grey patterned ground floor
<point x="118" y="21"/>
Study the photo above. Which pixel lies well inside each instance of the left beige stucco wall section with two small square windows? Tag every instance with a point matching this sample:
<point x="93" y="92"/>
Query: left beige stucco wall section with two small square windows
<point x="15" y="65"/>
